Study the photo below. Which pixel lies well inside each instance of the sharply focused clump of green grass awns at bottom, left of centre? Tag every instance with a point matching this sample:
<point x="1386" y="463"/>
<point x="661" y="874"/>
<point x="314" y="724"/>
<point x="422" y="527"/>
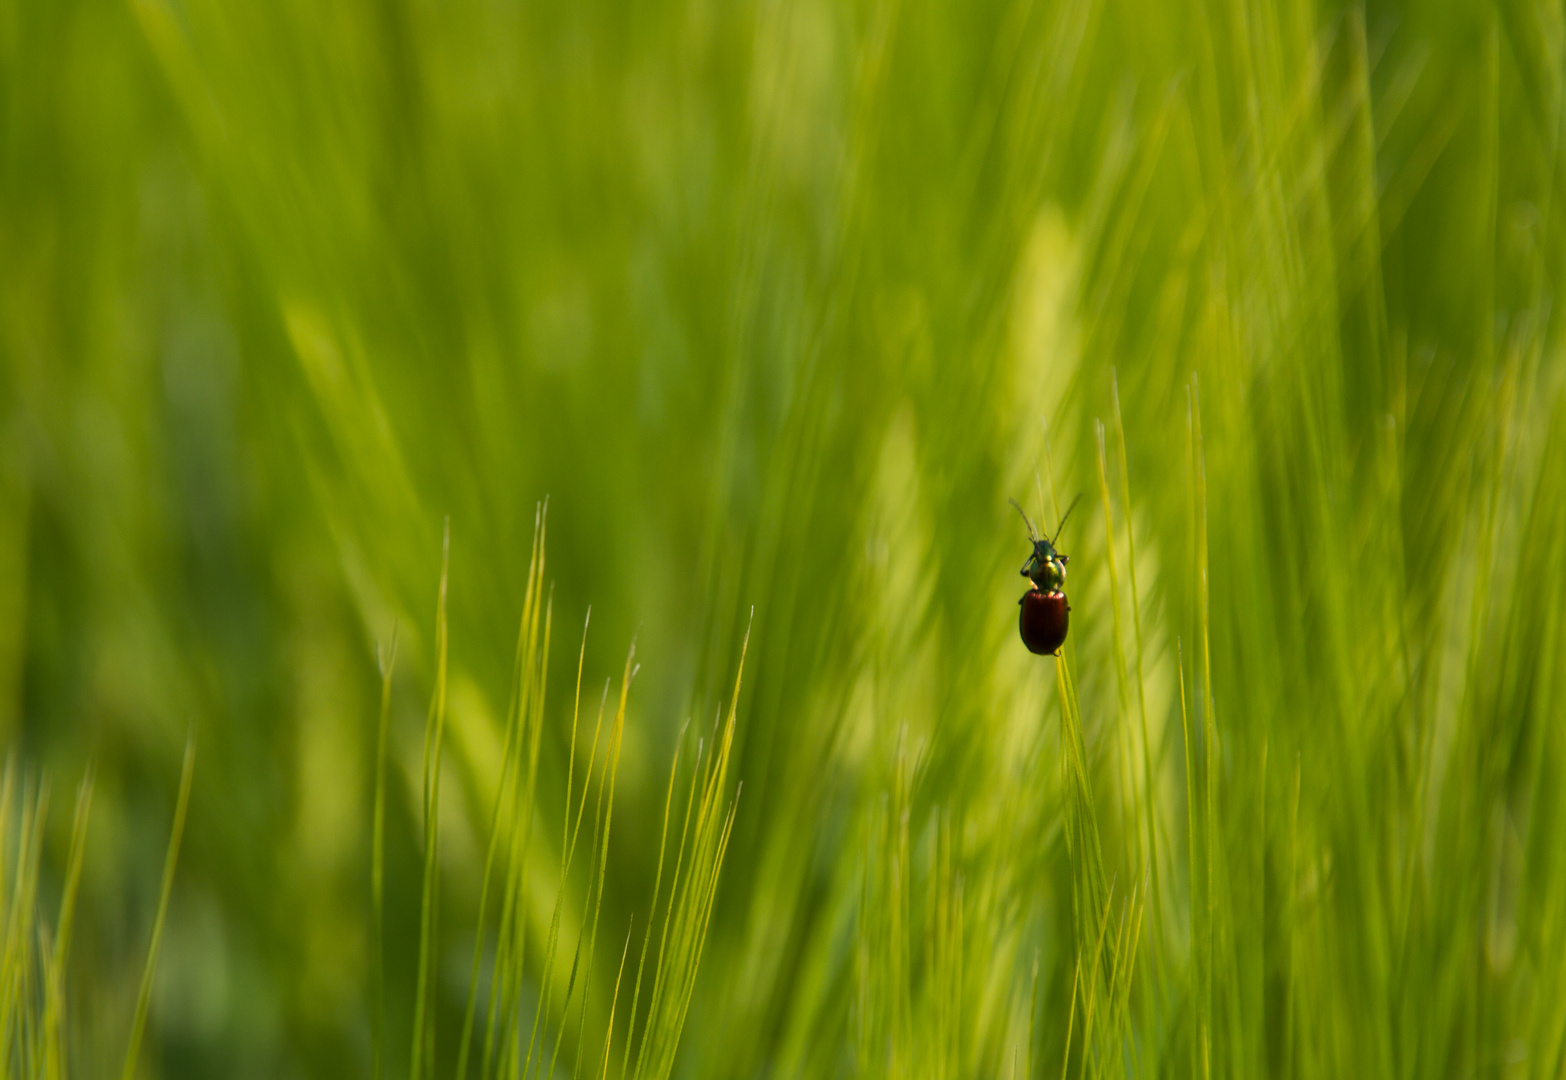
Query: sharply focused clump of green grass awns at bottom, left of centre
<point x="499" y="1032"/>
